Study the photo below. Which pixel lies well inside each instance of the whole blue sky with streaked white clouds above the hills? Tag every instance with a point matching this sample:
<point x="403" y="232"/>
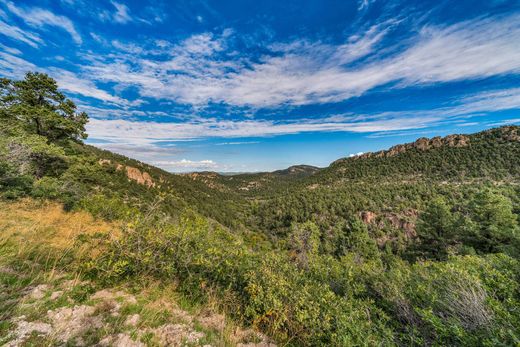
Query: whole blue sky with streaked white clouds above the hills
<point x="262" y="85"/>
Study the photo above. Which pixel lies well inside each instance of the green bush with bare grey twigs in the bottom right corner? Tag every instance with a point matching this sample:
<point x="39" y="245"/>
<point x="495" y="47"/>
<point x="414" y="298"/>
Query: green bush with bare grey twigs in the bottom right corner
<point x="468" y="300"/>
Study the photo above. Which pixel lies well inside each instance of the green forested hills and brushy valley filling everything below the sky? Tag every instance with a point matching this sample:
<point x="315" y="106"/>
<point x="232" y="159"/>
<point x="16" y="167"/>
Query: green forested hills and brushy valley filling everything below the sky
<point x="417" y="245"/>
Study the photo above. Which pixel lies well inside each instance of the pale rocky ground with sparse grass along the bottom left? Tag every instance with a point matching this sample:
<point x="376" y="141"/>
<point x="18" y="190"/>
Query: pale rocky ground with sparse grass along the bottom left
<point x="71" y="312"/>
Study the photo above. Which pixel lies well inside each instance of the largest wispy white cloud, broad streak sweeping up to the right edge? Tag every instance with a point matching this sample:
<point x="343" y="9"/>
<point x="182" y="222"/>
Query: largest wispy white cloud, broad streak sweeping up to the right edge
<point x="203" y="70"/>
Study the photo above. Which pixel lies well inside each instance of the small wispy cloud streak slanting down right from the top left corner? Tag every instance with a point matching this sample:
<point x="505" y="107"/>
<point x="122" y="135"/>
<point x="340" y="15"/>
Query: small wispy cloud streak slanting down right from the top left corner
<point x="38" y="17"/>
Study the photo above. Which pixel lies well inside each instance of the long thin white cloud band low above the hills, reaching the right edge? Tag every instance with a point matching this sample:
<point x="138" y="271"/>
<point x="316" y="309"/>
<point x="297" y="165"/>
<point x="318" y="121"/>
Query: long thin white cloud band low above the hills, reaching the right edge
<point x="145" y="133"/>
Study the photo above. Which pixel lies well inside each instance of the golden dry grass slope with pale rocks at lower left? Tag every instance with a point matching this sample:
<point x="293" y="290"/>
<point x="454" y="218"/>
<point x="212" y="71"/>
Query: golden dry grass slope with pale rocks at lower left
<point x="40" y="259"/>
